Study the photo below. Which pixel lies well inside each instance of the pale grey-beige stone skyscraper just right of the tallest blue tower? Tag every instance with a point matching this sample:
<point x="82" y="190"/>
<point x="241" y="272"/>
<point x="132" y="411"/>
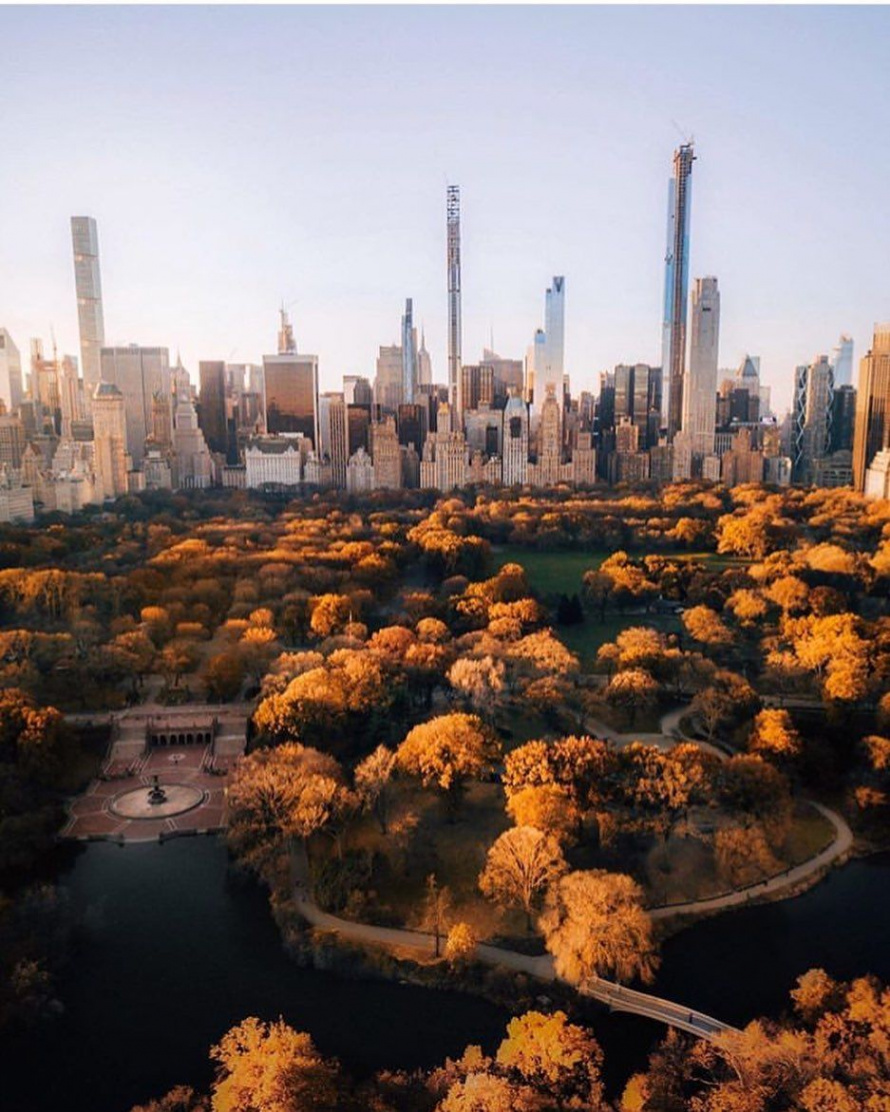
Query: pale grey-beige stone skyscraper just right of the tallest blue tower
<point x="700" y="389"/>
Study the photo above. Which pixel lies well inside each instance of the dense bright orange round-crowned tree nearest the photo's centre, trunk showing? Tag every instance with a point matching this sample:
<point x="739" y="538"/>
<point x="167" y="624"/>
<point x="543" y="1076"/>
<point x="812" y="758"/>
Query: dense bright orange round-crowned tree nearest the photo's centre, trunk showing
<point x="447" y="752"/>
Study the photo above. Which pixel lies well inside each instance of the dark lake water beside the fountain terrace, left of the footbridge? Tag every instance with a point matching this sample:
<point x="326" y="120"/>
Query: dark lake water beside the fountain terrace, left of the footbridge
<point x="174" y="956"/>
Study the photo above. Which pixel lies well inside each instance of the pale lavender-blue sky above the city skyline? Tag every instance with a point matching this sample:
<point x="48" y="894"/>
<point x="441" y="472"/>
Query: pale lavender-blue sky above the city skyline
<point x="239" y="158"/>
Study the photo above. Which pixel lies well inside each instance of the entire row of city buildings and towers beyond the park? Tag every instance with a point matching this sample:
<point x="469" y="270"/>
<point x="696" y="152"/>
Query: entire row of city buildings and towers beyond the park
<point x="77" y="432"/>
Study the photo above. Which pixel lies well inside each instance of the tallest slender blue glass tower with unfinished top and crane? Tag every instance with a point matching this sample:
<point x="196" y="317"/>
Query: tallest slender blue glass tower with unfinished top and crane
<point x="677" y="287"/>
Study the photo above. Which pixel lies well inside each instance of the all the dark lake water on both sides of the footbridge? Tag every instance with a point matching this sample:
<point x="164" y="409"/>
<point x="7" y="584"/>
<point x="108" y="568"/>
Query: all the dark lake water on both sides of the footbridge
<point x="174" y="956"/>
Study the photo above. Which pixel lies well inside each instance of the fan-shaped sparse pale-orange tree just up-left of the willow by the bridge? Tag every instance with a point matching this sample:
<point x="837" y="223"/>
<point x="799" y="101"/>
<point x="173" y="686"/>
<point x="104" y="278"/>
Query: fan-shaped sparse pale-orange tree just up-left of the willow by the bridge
<point x="521" y="867"/>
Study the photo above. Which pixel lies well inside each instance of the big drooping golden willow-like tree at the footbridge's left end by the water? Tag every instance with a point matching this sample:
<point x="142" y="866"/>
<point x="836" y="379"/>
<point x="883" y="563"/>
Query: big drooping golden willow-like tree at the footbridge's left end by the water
<point x="595" y="926"/>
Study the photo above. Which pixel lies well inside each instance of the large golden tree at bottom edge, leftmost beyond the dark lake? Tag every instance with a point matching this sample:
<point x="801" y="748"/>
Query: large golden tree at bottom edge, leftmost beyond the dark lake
<point x="272" y="1068"/>
